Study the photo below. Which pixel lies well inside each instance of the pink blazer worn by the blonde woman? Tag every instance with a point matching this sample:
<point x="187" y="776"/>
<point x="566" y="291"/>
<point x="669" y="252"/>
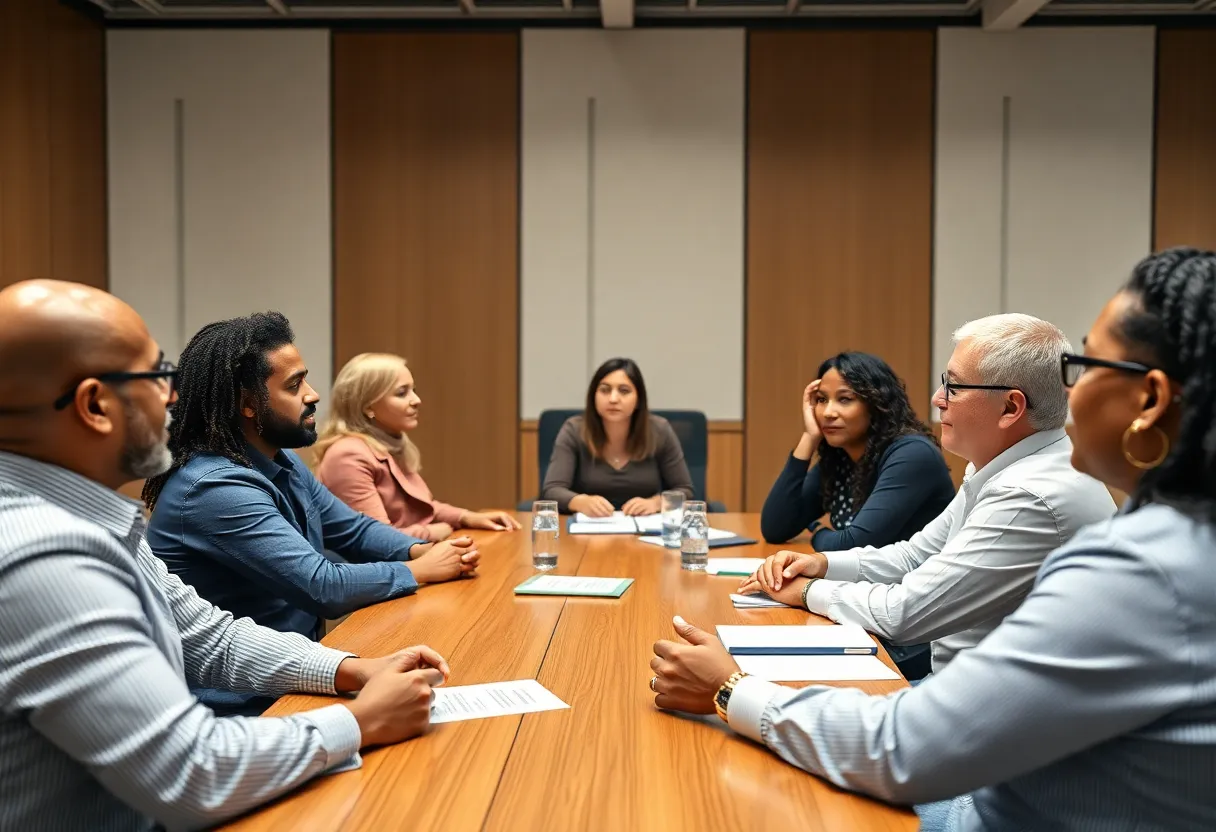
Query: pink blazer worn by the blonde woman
<point x="374" y="484"/>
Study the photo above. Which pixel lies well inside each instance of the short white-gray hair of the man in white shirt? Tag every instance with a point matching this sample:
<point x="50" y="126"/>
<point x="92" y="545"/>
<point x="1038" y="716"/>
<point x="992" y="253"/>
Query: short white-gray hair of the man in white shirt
<point x="1023" y="352"/>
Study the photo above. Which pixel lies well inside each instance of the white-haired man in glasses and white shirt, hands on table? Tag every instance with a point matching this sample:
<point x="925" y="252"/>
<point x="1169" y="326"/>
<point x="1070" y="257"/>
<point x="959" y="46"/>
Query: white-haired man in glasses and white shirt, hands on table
<point x="1004" y="409"/>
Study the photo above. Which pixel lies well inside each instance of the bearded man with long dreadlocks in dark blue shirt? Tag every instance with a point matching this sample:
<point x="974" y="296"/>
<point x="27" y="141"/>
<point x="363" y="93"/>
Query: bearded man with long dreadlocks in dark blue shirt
<point x="245" y="522"/>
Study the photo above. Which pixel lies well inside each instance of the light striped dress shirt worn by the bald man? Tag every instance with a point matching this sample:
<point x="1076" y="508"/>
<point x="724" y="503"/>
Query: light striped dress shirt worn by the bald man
<point x="99" y="645"/>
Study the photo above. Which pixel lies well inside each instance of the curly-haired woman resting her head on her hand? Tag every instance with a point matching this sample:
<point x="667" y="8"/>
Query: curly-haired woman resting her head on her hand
<point x="881" y="476"/>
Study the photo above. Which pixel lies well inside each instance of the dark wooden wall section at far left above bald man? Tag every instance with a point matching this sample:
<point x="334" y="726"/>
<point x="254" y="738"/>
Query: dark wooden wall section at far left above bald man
<point x="53" y="144"/>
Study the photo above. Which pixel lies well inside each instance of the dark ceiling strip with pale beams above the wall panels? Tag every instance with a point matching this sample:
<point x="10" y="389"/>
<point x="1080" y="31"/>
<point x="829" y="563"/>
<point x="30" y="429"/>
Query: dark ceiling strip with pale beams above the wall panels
<point x="622" y="14"/>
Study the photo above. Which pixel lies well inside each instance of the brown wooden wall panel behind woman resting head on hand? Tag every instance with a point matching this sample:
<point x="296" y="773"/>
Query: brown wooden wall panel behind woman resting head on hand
<point x="840" y="221"/>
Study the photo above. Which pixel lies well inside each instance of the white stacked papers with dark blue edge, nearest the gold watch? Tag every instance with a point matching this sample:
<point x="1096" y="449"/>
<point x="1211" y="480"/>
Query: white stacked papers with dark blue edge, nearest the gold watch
<point x="841" y="653"/>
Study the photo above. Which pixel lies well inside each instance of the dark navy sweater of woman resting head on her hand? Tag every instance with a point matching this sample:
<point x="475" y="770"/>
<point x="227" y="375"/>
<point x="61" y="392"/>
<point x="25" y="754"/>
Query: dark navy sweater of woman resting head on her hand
<point x="913" y="487"/>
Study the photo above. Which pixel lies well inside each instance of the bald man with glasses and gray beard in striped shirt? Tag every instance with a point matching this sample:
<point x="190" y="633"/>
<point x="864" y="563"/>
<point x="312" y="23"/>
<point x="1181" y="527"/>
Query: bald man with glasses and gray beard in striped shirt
<point x="99" y="644"/>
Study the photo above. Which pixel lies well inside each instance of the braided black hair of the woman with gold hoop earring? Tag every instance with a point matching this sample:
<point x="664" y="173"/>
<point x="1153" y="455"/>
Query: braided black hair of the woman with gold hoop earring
<point x="1173" y="325"/>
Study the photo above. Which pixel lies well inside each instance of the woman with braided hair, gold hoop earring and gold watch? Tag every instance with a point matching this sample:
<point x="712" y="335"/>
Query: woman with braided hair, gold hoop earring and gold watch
<point x="1094" y="705"/>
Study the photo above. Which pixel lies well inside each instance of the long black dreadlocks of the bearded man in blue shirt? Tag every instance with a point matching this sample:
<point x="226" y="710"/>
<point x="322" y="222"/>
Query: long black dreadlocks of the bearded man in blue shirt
<point x="222" y="362"/>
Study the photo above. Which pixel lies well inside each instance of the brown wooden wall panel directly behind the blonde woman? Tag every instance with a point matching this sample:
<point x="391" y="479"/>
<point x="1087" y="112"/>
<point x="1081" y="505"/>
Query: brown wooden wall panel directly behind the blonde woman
<point x="426" y="153"/>
